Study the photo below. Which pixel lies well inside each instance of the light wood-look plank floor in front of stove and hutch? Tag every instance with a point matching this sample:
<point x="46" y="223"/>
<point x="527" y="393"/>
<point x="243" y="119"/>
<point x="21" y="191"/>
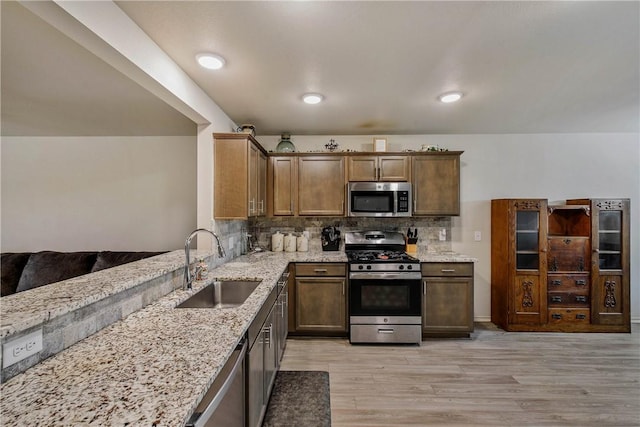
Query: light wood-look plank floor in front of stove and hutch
<point x="496" y="378"/>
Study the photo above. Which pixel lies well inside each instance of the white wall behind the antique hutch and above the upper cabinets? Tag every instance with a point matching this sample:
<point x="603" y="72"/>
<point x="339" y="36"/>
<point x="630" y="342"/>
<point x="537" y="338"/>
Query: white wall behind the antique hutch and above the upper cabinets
<point x="552" y="166"/>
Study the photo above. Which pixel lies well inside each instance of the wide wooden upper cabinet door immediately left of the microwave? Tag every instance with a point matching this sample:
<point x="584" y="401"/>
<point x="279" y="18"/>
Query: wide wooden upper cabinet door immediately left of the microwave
<point x="321" y="185"/>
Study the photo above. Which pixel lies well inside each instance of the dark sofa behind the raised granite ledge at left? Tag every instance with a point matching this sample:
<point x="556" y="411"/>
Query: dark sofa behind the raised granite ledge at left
<point x="28" y="270"/>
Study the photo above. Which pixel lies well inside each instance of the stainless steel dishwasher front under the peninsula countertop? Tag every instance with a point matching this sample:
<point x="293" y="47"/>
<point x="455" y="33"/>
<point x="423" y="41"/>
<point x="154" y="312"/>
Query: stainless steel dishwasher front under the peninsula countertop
<point x="223" y="404"/>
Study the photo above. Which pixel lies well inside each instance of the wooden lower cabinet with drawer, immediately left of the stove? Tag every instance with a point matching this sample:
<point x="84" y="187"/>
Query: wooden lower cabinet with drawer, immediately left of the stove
<point x="320" y="295"/>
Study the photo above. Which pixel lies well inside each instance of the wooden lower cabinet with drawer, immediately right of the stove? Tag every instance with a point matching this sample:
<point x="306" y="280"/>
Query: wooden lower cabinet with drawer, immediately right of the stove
<point x="447" y="299"/>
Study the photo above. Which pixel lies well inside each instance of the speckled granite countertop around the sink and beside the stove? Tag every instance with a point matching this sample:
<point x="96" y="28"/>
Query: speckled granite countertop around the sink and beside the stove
<point x="153" y="367"/>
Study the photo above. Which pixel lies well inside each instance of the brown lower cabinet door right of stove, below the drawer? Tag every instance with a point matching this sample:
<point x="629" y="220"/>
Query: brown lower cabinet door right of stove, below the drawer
<point x="447" y="305"/>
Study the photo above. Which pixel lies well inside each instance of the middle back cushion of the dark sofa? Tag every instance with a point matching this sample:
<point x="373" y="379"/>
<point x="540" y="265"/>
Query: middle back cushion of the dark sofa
<point x="49" y="267"/>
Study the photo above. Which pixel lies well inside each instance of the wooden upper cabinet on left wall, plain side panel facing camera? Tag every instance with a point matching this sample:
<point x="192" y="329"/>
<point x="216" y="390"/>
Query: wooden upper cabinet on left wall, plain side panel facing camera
<point x="239" y="176"/>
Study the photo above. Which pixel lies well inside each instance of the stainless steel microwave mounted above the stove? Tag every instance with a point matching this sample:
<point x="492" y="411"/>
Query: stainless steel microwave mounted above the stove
<point x="379" y="199"/>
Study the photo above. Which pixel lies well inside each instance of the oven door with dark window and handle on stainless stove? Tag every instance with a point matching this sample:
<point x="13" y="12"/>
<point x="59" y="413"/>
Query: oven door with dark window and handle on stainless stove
<point x="384" y="294"/>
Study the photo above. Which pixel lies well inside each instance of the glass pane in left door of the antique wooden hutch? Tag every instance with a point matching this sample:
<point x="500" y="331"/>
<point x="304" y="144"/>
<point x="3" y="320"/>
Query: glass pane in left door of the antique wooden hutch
<point x="527" y="240"/>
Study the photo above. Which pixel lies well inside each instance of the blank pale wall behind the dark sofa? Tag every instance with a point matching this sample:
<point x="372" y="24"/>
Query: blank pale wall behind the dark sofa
<point x="97" y="193"/>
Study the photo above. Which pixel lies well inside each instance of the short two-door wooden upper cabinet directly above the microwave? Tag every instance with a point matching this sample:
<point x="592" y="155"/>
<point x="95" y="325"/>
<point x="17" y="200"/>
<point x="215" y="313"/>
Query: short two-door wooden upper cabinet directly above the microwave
<point x="378" y="168"/>
